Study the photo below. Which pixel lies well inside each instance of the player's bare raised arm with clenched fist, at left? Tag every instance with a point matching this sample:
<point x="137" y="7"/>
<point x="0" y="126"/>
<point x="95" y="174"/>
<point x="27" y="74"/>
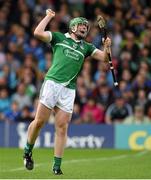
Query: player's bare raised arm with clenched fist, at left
<point x="40" y="32"/>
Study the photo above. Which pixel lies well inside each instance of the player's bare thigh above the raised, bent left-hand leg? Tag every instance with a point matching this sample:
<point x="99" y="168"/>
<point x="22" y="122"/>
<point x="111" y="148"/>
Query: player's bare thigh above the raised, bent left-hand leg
<point x="42" y="113"/>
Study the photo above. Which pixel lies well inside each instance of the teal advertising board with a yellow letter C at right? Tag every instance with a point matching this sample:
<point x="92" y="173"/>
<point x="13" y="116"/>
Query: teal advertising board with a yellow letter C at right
<point x="135" y="137"/>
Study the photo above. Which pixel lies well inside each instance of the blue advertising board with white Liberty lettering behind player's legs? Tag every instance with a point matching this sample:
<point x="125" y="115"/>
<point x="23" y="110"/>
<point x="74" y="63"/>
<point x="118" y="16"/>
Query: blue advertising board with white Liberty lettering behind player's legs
<point x="79" y="136"/>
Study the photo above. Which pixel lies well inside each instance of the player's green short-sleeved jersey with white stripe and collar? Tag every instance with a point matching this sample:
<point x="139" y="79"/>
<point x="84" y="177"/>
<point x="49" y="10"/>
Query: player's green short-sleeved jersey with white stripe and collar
<point x="68" y="59"/>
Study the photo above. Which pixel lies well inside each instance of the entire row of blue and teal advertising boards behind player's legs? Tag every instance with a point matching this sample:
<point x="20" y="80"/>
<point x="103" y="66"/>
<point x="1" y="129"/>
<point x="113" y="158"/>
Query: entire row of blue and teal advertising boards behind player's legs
<point x="135" y="137"/>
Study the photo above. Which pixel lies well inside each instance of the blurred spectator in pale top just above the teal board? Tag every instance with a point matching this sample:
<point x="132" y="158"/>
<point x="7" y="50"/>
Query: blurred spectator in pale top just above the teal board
<point x="138" y="117"/>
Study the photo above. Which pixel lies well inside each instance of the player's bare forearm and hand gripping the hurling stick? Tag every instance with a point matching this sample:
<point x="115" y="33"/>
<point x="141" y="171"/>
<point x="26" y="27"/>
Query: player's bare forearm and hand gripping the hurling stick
<point x="102" y="55"/>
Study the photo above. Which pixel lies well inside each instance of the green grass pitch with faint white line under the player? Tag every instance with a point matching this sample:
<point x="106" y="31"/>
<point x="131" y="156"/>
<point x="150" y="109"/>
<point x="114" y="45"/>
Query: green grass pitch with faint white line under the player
<point x="78" y="164"/>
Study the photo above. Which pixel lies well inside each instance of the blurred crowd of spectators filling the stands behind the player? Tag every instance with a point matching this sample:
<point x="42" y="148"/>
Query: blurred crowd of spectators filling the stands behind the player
<point x="24" y="60"/>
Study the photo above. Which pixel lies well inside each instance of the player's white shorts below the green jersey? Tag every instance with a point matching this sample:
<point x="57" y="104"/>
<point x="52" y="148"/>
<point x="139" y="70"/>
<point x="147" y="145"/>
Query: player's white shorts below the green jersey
<point x="54" y="94"/>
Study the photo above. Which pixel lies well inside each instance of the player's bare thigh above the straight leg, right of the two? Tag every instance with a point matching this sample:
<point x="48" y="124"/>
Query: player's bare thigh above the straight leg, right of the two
<point x="62" y="118"/>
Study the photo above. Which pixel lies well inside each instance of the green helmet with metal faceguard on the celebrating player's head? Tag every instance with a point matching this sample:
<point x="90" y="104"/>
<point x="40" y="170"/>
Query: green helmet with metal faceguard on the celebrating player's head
<point x="74" y="23"/>
